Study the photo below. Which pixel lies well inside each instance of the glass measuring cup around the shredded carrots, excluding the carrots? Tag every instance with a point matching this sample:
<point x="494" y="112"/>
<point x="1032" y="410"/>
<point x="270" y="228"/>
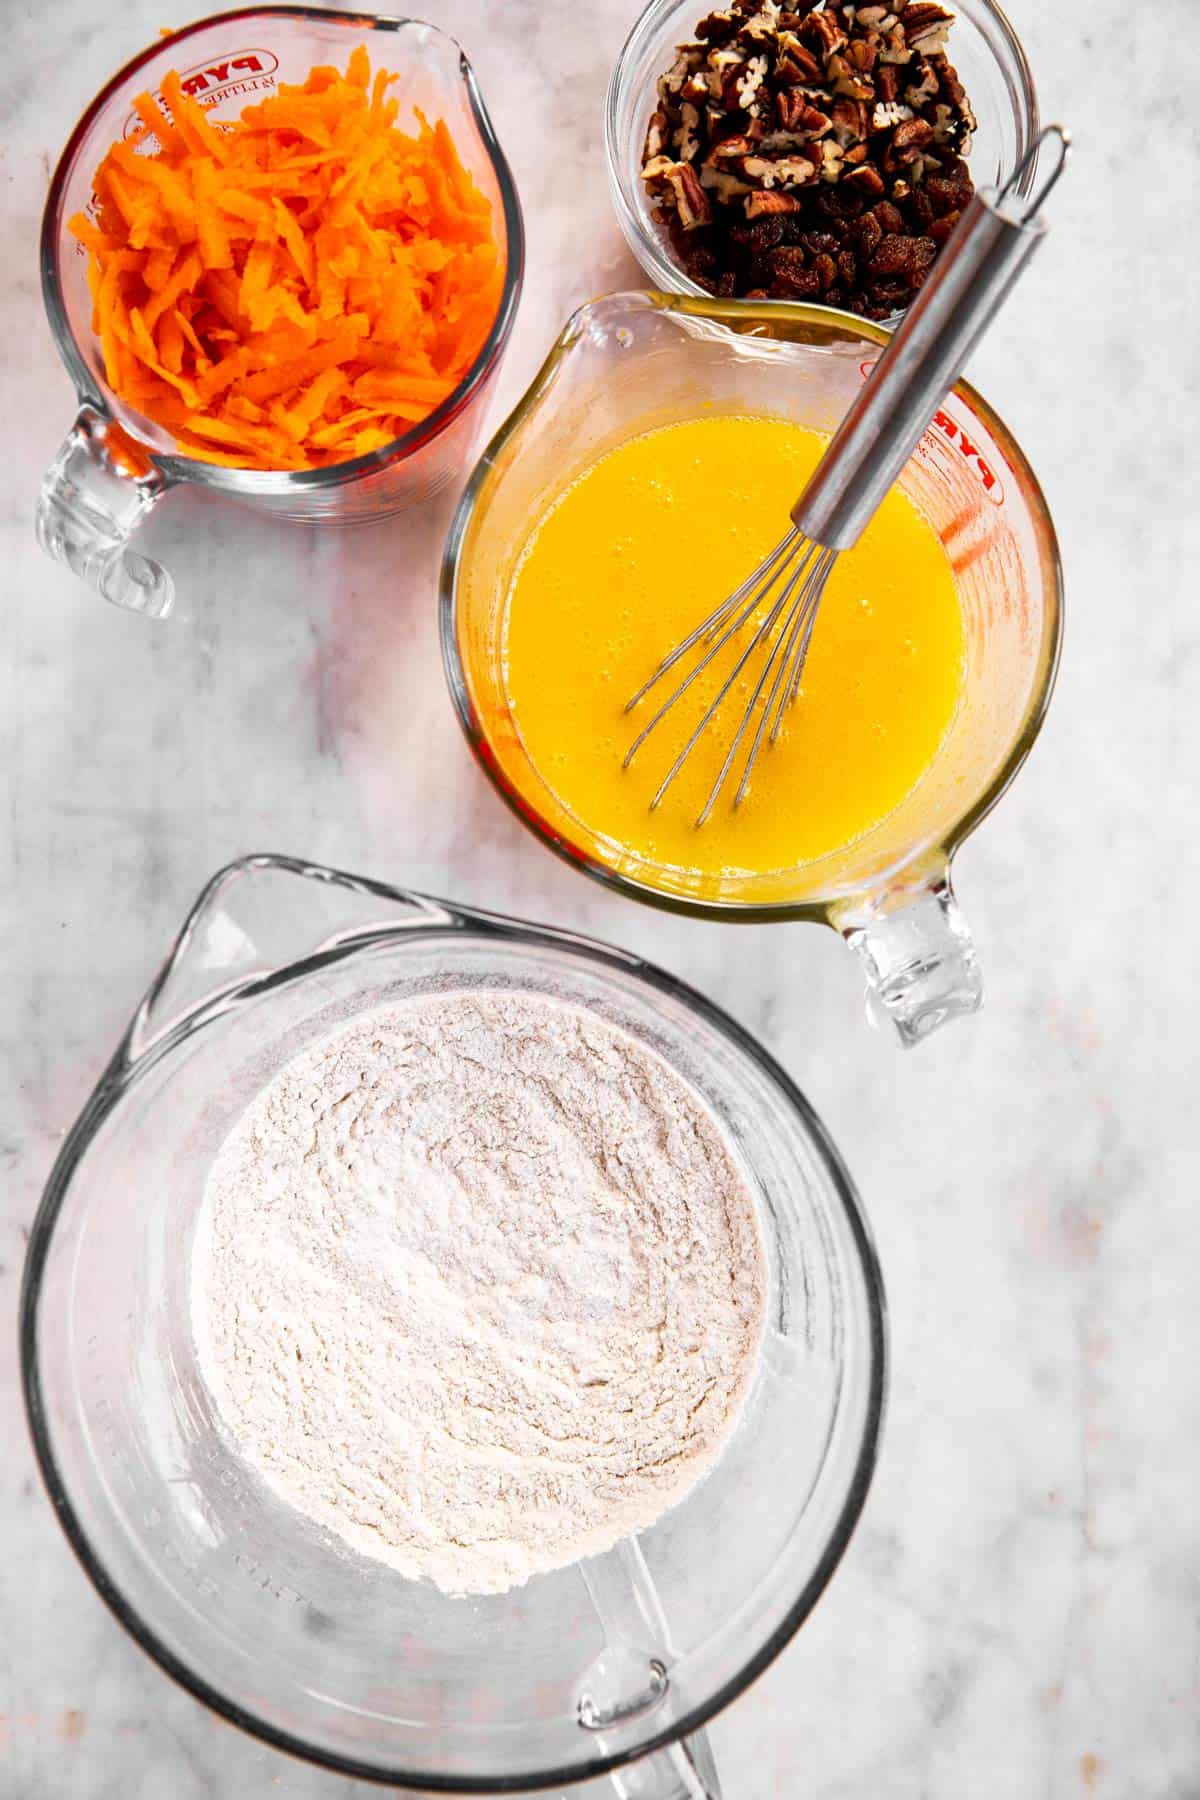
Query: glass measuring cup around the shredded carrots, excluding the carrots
<point x="116" y="463"/>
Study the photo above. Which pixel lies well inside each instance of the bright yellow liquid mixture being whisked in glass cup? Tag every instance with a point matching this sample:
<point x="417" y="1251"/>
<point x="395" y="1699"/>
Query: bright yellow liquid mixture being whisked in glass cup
<point x="631" y="559"/>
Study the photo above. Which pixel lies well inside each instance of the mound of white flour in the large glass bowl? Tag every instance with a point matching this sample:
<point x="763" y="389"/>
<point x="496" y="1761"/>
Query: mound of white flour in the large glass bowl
<point x="478" y="1286"/>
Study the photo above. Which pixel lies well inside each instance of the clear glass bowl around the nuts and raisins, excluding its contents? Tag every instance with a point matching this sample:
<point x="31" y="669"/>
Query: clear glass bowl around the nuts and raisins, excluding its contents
<point x="983" y="48"/>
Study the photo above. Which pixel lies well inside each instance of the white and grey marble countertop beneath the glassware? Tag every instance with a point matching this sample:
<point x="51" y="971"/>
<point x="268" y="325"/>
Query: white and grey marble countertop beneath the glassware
<point x="1021" y="1608"/>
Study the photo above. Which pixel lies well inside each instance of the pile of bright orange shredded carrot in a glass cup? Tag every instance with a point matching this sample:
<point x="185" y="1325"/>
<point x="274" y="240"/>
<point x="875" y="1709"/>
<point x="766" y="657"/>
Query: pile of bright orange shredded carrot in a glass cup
<point x="292" y="289"/>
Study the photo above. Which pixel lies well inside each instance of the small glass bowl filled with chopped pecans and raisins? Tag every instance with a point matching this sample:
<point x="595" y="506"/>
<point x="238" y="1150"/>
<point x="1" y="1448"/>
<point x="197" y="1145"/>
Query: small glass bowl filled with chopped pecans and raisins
<point x="810" y="150"/>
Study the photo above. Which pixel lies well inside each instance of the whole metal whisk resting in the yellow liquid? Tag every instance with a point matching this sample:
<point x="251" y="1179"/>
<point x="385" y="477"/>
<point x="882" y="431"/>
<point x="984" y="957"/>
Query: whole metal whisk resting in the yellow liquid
<point x="778" y="602"/>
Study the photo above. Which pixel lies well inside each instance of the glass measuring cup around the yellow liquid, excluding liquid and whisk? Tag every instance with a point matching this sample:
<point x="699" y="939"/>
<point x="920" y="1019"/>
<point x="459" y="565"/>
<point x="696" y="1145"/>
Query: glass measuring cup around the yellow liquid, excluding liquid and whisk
<point x="634" y="361"/>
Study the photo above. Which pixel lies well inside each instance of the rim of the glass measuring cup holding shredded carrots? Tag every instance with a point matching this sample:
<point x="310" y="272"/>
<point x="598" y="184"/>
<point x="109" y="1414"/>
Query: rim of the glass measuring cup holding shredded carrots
<point x="256" y="481"/>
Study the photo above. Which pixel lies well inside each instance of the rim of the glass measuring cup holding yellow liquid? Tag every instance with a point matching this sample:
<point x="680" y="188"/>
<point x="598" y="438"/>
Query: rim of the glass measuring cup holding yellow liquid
<point x="769" y="314"/>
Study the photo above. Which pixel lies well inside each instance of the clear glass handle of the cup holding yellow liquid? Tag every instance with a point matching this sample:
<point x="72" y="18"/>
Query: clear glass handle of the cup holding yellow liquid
<point x="918" y="955"/>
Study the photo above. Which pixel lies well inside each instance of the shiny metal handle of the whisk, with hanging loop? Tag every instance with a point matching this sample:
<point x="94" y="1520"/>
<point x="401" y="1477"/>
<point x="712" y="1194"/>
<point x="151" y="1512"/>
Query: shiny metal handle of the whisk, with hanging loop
<point x="971" y="282"/>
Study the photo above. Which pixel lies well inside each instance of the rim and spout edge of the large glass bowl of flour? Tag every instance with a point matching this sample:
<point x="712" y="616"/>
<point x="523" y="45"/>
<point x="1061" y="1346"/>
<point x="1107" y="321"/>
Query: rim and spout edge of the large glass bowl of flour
<point x="125" y="1072"/>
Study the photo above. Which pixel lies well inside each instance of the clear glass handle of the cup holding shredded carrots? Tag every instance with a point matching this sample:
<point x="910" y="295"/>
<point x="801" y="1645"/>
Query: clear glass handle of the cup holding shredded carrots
<point x="96" y="494"/>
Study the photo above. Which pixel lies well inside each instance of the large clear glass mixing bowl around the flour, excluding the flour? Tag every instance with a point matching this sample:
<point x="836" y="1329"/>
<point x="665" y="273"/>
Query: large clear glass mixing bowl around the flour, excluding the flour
<point x="267" y="1619"/>
